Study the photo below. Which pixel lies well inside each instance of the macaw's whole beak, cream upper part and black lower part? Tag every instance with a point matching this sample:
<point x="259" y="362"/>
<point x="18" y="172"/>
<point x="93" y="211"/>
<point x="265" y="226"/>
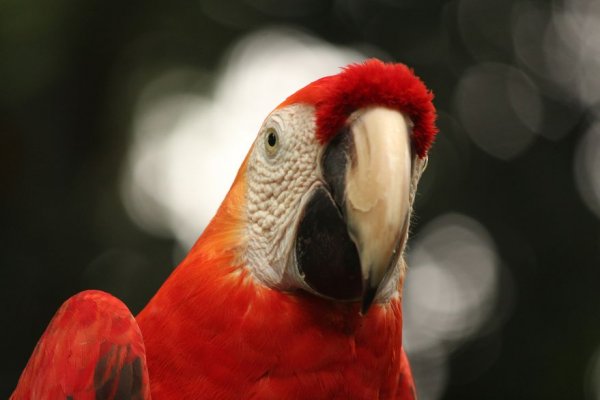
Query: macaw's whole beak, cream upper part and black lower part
<point x="353" y="228"/>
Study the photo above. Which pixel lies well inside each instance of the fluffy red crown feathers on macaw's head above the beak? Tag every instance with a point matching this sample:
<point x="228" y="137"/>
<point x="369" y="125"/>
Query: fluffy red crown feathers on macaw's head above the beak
<point x="371" y="83"/>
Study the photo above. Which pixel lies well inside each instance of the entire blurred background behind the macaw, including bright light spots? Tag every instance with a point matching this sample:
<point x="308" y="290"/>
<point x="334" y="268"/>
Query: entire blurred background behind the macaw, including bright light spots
<point x="119" y="133"/>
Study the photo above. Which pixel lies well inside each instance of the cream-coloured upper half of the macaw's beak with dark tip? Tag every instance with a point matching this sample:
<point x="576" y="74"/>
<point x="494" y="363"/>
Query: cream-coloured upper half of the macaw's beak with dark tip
<point x="377" y="192"/>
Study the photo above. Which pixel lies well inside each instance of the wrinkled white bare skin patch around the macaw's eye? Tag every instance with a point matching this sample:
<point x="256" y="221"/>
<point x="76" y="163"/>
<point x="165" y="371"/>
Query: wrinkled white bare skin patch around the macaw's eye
<point x="279" y="180"/>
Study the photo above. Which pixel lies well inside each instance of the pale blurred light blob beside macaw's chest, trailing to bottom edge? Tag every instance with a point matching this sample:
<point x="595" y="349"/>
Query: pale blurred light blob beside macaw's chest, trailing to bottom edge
<point x="451" y="291"/>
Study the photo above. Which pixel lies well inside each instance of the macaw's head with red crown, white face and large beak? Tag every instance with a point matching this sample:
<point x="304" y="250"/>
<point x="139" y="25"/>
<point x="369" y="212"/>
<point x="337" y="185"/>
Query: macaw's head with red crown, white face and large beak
<point x="323" y="201"/>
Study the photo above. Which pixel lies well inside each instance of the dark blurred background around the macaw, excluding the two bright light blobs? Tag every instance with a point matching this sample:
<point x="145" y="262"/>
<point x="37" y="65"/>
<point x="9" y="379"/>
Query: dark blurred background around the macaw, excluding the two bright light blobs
<point x="70" y="76"/>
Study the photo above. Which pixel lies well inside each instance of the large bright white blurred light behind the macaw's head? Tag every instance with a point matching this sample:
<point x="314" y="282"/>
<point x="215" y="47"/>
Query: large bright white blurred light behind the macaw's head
<point x="187" y="146"/>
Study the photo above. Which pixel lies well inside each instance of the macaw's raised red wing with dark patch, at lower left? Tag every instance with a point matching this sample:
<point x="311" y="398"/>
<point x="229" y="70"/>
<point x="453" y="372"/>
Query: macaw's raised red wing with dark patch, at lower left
<point x="92" y="349"/>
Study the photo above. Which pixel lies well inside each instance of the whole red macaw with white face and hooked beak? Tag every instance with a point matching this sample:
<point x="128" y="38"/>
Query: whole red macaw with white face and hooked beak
<point x="293" y="291"/>
